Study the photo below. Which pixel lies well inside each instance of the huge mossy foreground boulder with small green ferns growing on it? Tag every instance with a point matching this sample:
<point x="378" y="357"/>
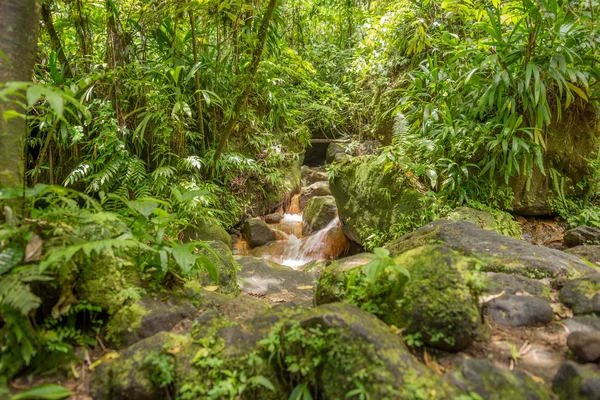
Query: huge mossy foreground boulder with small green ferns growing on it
<point x="334" y="349"/>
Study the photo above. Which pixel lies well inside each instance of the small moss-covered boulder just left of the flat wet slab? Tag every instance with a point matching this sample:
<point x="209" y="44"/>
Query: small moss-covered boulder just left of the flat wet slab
<point x="227" y="268"/>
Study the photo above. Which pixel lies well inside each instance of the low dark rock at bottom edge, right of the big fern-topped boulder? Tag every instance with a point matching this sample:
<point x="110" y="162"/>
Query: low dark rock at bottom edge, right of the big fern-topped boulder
<point x="494" y="383"/>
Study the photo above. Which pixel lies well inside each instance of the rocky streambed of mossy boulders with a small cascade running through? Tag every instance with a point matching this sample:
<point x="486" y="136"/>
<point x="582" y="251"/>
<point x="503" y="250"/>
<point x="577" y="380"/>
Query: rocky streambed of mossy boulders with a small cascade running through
<point x="484" y="314"/>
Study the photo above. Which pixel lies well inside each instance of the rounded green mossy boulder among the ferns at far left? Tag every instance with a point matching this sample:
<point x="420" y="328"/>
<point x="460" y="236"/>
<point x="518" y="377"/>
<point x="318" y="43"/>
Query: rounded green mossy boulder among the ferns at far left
<point x="105" y="281"/>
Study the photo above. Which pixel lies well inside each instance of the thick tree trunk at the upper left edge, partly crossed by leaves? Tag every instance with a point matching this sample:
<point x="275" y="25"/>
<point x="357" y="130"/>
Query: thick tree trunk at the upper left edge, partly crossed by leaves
<point x="19" y="21"/>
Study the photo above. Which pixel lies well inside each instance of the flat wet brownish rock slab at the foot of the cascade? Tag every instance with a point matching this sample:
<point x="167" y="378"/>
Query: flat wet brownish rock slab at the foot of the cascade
<point x="274" y="282"/>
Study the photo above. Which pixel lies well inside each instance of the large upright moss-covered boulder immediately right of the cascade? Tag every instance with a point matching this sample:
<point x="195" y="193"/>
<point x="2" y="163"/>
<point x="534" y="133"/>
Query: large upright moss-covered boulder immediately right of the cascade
<point x="371" y="199"/>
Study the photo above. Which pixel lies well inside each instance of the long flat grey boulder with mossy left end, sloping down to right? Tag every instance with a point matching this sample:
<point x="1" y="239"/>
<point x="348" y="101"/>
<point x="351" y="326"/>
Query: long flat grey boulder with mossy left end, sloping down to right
<point x="498" y="253"/>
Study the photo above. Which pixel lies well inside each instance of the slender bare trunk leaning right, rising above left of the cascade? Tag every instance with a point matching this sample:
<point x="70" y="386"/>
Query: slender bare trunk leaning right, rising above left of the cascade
<point x="246" y="83"/>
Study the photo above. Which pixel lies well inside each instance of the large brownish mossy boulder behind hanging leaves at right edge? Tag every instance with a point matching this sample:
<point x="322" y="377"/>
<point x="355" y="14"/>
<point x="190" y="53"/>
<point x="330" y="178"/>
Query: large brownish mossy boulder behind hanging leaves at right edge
<point x="571" y="143"/>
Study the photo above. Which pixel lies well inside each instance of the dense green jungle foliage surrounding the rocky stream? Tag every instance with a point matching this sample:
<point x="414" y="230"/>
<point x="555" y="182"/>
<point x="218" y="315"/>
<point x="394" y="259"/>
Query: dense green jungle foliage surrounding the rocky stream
<point x="130" y="100"/>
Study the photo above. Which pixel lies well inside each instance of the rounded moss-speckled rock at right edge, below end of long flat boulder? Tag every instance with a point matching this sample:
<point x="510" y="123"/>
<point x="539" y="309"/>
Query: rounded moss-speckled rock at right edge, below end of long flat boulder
<point x="582" y="295"/>
